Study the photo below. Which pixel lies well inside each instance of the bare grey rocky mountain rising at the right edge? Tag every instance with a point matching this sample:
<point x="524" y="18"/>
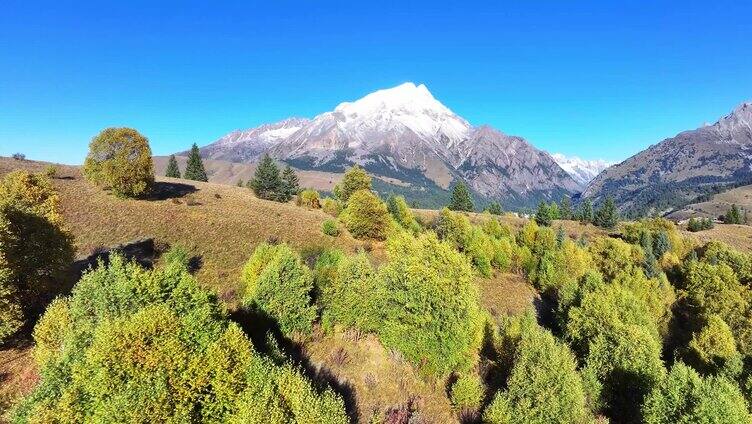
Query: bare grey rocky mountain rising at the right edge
<point x="679" y="169"/>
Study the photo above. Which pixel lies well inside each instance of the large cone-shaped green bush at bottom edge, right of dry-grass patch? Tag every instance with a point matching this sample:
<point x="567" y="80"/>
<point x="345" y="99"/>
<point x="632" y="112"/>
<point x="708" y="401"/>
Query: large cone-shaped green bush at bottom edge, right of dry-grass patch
<point x="543" y="385"/>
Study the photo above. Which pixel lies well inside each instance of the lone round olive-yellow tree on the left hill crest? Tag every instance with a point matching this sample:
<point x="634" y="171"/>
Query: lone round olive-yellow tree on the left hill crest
<point x="120" y="160"/>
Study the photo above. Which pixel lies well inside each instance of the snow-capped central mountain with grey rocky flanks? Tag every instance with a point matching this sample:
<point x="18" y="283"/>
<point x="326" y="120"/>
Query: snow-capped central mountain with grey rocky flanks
<point x="405" y="134"/>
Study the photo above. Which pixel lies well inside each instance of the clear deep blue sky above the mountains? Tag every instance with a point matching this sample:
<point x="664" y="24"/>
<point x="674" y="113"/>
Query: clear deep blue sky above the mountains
<point x="589" y="78"/>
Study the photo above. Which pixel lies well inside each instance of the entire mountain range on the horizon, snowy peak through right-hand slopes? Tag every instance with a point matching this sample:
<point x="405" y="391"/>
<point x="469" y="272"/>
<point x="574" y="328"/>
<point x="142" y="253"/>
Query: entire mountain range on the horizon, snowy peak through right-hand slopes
<point x="418" y="147"/>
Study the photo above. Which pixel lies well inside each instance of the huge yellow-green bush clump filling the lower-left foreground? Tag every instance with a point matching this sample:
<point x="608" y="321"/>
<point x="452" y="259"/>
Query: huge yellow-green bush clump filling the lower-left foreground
<point x="135" y="345"/>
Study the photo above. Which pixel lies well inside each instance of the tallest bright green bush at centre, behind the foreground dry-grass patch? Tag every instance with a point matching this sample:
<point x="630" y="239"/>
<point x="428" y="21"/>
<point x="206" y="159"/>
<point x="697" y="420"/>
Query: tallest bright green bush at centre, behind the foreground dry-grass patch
<point x="429" y="303"/>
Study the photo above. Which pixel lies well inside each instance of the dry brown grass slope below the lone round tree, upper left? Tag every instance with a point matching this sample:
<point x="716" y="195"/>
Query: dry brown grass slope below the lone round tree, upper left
<point x="222" y="224"/>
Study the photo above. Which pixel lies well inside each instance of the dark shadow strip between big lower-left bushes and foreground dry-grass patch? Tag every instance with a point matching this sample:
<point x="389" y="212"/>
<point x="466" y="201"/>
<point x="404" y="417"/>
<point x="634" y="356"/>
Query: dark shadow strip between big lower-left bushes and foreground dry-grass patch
<point x="268" y="339"/>
